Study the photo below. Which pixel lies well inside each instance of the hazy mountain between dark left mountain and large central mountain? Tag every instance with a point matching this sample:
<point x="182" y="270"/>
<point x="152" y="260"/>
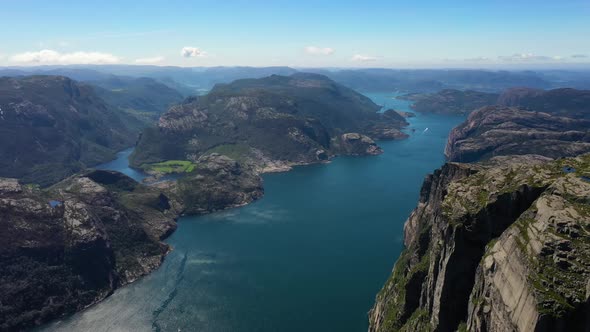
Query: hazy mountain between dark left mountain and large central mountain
<point x="137" y="95"/>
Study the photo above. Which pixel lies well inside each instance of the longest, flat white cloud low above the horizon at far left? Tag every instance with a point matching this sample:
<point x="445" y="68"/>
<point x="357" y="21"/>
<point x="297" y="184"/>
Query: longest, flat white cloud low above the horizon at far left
<point x="54" y="57"/>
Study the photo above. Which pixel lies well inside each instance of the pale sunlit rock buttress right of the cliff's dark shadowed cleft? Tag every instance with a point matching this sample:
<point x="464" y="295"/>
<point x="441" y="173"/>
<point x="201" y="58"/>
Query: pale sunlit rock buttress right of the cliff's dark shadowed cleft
<point x="535" y="277"/>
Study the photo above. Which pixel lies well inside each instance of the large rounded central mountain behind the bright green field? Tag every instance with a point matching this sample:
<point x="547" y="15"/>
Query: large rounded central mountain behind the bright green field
<point x="273" y="121"/>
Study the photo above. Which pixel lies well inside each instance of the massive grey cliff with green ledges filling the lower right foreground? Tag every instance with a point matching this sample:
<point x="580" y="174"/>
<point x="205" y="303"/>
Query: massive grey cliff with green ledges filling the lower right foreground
<point x="494" y="246"/>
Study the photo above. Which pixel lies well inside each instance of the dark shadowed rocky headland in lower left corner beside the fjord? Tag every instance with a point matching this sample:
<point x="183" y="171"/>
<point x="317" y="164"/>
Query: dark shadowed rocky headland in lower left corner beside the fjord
<point x="67" y="247"/>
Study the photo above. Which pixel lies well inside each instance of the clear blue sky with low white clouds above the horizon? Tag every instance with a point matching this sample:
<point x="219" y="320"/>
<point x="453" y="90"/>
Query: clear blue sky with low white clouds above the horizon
<point x="298" y="33"/>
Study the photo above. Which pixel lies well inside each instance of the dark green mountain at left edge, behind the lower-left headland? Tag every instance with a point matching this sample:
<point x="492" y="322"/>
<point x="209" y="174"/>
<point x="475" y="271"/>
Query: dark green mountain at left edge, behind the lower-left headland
<point x="52" y="126"/>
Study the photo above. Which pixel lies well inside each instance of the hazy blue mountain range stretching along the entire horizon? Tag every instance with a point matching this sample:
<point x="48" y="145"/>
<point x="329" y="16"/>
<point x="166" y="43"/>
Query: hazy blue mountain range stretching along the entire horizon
<point x="190" y="80"/>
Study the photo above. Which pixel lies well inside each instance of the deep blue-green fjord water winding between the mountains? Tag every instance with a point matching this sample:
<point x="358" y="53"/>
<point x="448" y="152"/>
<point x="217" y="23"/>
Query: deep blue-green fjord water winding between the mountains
<point x="309" y="256"/>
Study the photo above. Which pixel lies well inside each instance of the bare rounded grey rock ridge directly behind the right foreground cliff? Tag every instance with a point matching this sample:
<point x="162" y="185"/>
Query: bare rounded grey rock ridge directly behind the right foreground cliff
<point x="498" y="130"/>
